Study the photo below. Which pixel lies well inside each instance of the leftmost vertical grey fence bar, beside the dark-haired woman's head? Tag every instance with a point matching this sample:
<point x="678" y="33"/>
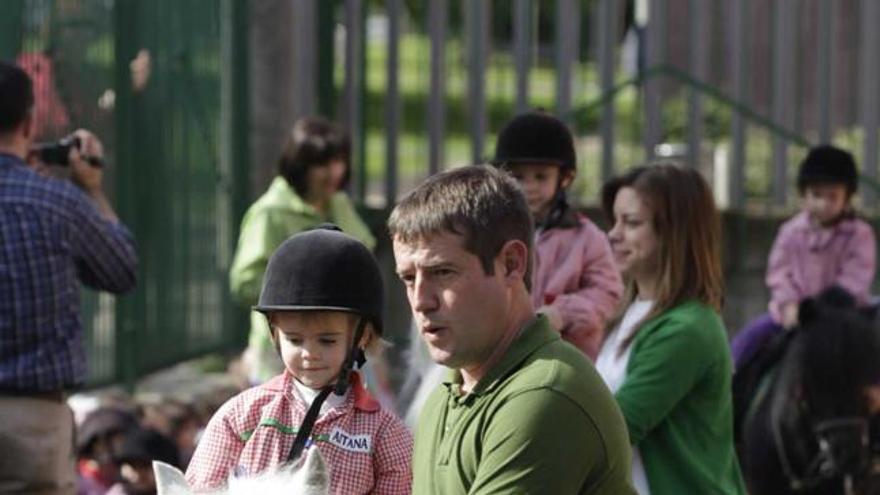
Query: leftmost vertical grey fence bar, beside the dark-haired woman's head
<point x="353" y="79"/>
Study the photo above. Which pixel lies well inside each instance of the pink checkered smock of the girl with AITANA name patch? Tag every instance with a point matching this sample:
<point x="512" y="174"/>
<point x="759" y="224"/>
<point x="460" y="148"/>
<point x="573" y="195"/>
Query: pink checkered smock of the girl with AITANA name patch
<point x="367" y="449"/>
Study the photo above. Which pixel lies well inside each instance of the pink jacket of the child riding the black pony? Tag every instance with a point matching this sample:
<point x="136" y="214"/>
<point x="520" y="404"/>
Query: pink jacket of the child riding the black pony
<point x="806" y="259"/>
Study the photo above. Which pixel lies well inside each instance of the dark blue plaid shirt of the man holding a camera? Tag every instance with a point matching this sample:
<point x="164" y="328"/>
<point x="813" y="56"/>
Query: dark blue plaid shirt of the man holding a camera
<point x="51" y="239"/>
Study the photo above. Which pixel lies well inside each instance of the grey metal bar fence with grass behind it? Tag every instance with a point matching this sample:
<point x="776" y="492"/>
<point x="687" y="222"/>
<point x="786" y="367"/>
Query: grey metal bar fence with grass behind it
<point x="739" y="88"/>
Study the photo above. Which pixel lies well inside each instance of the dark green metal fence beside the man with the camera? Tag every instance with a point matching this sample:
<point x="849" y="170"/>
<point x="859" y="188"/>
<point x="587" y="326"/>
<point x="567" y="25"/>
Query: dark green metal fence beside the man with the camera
<point x="162" y="84"/>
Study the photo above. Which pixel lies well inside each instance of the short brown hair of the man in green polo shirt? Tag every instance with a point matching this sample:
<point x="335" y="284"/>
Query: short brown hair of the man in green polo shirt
<point x="482" y="204"/>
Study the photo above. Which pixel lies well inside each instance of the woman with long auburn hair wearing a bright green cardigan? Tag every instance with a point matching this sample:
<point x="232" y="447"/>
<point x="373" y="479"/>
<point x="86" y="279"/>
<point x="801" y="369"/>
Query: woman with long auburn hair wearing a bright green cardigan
<point x="666" y="357"/>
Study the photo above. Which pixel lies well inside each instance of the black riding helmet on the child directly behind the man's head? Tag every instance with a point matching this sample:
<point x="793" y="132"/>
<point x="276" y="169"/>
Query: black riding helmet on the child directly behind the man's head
<point x="535" y="137"/>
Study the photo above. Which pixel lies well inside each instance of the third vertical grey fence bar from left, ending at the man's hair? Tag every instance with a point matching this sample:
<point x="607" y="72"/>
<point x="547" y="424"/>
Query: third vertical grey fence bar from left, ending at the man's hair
<point x="437" y="13"/>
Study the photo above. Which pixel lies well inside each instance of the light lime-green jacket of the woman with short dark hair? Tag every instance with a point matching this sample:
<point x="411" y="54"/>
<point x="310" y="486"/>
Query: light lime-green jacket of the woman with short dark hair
<point x="276" y="215"/>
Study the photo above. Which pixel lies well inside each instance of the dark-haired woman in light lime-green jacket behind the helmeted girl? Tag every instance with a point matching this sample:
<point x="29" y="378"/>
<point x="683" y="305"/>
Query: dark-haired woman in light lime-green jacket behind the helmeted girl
<point x="312" y="172"/>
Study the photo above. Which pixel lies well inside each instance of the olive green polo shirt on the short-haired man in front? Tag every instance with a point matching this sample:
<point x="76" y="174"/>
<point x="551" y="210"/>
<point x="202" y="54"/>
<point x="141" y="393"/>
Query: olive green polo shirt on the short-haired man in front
<point x="540" y="421"/>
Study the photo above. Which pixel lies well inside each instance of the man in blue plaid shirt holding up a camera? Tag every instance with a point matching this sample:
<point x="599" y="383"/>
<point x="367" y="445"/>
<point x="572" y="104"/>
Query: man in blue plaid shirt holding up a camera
<point x="54" y="235"/>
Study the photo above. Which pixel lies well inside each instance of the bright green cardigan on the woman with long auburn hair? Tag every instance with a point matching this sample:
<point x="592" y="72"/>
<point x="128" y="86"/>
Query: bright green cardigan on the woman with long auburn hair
<point x="676" y="400"/>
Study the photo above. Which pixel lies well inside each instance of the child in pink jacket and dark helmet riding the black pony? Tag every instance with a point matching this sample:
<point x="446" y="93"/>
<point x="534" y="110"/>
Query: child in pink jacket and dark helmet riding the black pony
<point x="824" y="245"/>
